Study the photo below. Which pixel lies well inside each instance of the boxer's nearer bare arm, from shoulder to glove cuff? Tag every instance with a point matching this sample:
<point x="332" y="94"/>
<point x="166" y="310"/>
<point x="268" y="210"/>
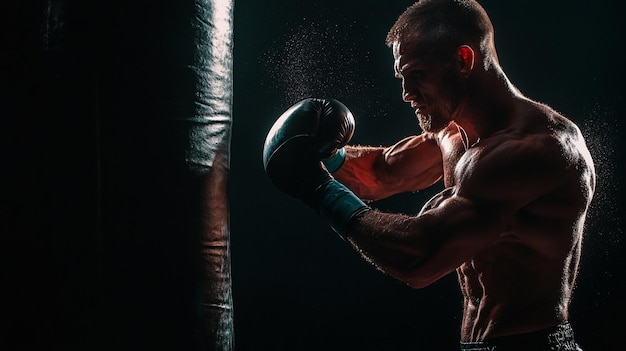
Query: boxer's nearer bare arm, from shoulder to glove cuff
<point x="463" y="220"/>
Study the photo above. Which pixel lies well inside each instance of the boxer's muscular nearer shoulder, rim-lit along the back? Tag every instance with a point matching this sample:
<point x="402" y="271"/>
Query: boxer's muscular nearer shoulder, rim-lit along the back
<point x="525" y="161"/>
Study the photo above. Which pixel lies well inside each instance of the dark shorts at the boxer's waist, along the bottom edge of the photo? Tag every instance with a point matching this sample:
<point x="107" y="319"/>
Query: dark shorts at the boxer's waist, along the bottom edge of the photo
<point x="558" y="338"/>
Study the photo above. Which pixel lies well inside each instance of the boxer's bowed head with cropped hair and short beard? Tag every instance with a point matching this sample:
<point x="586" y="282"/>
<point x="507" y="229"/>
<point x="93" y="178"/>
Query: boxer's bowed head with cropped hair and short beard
<point x="435" y="45"/>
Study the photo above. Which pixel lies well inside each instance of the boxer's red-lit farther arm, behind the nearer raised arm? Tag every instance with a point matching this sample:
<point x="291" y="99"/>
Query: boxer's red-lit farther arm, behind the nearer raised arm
<point x="374" y="173"/>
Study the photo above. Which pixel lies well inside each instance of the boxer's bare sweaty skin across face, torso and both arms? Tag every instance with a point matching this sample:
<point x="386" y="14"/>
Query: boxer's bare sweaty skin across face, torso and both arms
<point x="518" y="181"/>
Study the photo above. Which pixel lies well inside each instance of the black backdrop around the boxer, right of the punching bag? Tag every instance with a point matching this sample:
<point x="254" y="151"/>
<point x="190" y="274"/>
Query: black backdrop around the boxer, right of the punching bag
<point x="299" y="287"/>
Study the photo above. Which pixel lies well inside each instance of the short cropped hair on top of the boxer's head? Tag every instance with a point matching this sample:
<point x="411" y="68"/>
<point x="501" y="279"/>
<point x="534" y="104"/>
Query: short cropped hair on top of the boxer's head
<point x="453" y="22"/>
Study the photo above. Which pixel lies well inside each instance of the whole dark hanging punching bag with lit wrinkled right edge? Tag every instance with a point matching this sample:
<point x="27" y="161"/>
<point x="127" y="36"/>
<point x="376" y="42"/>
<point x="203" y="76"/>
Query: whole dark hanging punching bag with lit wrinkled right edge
<point x="165" y="103"/>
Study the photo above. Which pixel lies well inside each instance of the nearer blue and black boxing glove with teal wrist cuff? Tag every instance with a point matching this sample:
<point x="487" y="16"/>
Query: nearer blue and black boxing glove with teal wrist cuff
<point x="309" y="132"/>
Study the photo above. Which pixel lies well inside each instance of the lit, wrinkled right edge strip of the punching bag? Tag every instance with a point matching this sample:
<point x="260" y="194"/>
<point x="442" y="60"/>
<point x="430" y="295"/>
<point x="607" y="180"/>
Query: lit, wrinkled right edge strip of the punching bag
<point x="209" y="151"/>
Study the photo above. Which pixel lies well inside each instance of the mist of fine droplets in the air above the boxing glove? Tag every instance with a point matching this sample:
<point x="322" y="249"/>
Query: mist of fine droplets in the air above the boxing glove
<point x="321" y="59"/>
